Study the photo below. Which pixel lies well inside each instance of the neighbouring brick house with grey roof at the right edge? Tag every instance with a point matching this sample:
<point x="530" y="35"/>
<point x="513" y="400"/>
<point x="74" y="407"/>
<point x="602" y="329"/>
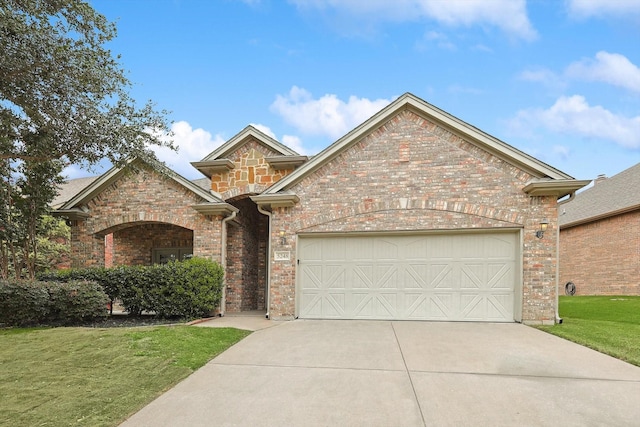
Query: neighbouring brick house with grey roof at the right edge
<point x="600" y="237"/>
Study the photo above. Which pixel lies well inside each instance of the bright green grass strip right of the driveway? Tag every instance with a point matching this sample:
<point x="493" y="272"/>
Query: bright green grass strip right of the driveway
<point x="610" y="325"/>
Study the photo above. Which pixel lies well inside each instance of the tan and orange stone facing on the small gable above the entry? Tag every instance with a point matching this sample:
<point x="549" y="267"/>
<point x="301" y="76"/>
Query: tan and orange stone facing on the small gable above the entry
<point x="252" y="173"/>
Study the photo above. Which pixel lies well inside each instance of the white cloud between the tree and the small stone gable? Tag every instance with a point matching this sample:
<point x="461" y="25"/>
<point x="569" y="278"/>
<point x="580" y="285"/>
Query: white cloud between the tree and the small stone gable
<point x="193" y="145"/>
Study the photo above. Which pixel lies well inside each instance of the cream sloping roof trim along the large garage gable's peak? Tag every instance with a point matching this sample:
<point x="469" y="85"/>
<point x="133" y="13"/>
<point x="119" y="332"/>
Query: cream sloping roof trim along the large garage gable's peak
<point x="418" y="106"/>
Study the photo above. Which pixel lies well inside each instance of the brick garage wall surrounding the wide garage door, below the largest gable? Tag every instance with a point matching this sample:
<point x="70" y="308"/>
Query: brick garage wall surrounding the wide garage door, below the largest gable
<point x="411" y="174"/>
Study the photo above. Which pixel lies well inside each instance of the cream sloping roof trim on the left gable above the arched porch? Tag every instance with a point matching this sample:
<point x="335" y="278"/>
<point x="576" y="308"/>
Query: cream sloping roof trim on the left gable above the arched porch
<point x="113" y="174"/>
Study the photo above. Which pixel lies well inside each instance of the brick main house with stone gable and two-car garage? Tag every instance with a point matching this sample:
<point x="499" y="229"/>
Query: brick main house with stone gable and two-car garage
<point x="414" y="214"/>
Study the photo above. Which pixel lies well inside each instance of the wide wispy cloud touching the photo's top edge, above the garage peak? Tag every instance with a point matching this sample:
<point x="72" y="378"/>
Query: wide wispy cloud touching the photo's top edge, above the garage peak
<point x="508" y="15"/>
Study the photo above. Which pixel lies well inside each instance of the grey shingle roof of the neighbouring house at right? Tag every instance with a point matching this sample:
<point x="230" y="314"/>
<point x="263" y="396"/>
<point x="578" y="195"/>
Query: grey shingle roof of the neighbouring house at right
<point x="607" y="197"/>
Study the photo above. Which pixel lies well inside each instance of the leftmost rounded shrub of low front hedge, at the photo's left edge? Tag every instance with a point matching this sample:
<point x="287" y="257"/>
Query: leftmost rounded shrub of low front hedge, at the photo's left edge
<point x="23" y="303"/>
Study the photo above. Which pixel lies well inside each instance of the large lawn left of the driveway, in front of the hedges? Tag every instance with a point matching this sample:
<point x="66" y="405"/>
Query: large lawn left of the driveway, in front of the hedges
<point x="97" y="377"/>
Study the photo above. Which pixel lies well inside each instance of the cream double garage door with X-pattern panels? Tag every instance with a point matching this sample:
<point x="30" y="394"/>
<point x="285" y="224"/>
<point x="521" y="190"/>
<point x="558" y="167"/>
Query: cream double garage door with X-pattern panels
<point x="461" y="277"/>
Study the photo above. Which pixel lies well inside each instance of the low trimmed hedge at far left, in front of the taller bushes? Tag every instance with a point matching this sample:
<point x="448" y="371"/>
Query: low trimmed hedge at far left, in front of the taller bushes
<point x="24" y="303"/>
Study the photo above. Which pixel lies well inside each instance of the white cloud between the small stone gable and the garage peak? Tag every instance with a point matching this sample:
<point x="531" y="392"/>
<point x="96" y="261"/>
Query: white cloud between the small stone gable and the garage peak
<point x="327" y="115"/>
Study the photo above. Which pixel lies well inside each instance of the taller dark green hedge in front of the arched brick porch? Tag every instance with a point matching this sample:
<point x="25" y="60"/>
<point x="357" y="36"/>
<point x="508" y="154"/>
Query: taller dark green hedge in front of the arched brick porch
<point x="186" y="289"/>
